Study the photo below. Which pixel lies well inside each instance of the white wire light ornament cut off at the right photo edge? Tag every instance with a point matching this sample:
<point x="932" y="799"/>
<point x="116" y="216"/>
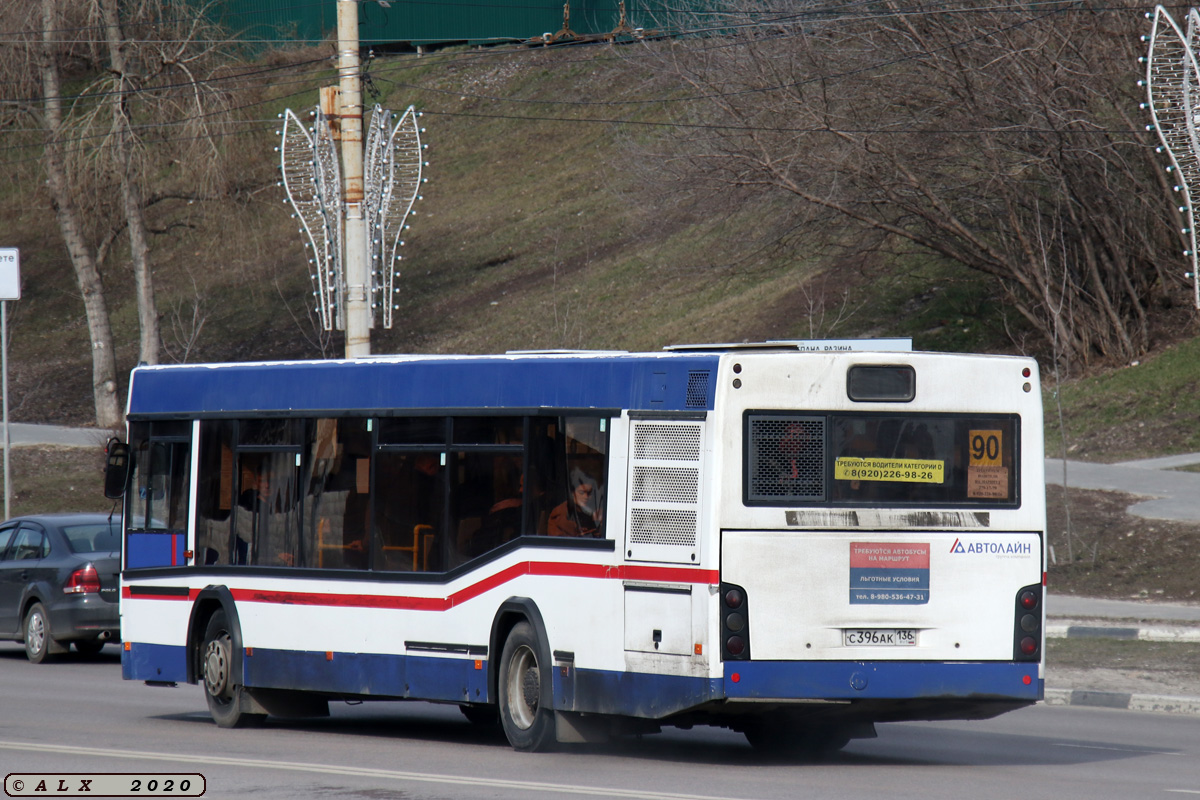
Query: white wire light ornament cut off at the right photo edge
<point x="1173" y="91"/>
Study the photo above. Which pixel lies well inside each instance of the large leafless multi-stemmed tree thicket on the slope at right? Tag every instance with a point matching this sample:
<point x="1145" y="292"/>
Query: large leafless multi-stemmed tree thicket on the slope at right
<point x="959" y="133"/>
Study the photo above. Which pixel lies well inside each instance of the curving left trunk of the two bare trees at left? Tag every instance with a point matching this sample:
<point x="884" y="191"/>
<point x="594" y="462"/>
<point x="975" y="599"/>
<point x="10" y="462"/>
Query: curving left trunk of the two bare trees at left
<point x="104" y="360"/>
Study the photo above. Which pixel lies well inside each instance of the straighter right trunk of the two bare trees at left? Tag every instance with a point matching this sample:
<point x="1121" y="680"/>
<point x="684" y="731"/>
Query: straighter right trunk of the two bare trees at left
<point x="131" y="191"/>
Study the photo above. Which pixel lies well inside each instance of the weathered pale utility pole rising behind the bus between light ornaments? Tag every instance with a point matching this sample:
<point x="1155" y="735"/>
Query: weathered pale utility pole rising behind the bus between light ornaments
<point x="358" y="310"/>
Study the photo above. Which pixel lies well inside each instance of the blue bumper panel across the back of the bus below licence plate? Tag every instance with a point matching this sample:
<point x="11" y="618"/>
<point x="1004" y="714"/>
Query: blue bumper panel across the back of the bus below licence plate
<point x="880" y="681"/>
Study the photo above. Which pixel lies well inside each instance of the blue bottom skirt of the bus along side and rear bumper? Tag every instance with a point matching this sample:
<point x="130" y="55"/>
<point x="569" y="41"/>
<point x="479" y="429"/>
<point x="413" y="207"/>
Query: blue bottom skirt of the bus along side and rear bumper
<point x="639" y="695"/>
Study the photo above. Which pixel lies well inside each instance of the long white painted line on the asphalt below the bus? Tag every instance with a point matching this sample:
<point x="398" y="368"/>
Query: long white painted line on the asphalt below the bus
<point x="333" y="769"/>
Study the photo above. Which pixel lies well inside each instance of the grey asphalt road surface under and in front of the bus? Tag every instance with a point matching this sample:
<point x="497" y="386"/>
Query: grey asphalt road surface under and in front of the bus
<point x="79" y="717"/>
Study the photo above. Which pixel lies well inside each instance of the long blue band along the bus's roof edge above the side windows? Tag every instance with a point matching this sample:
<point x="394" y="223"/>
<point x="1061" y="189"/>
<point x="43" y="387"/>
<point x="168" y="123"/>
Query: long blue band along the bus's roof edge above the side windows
<point x="625" y="382"/>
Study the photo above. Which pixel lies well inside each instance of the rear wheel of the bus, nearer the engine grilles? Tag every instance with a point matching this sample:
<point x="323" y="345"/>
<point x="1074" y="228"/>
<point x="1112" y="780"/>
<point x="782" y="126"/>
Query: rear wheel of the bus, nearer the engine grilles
<point x="529" y="724"/>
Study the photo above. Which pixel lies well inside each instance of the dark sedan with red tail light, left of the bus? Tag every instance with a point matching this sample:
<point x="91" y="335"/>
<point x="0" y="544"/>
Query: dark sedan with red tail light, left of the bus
<point x="59" y="582"/>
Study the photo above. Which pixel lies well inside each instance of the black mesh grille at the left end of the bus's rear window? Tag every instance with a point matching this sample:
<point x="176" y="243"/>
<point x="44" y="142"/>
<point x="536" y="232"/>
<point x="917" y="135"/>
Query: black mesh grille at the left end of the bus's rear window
<point x="787" y="459"/>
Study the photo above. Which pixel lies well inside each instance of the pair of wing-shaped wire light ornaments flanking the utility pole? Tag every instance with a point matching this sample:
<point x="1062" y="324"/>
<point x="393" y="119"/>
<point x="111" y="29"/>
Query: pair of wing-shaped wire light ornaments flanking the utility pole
<point x="313" y="182"/>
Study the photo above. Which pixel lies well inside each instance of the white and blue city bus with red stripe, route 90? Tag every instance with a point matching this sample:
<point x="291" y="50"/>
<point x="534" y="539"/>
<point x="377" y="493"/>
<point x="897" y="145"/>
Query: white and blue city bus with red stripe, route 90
<point x="791" y="540"/>
